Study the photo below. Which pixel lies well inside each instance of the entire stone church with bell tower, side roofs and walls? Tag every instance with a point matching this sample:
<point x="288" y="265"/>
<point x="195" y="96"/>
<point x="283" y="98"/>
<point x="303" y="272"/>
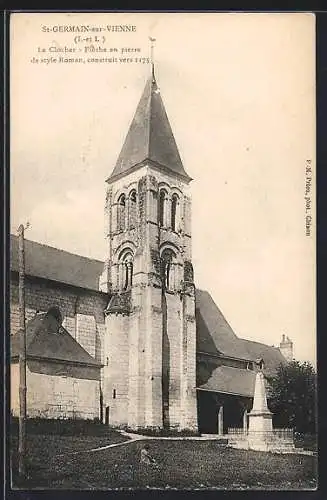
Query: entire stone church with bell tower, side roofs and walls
<point x="131" y="341"/>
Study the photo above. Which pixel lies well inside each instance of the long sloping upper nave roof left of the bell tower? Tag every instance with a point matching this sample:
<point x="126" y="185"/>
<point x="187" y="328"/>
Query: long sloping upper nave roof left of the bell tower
<point x="58" y="265"/>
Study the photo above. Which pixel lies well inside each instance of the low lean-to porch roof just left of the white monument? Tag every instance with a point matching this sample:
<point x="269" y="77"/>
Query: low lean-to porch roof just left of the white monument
<point x="230" y="381"/>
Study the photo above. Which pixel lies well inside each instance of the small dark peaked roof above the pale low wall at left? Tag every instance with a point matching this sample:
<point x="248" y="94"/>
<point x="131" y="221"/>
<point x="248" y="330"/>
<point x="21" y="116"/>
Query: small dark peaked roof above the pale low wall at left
<point x="46" y="339"/>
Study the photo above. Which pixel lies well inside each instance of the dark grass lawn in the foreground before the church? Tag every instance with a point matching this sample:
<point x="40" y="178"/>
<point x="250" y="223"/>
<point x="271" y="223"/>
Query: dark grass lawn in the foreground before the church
<point x="182" y="464"/>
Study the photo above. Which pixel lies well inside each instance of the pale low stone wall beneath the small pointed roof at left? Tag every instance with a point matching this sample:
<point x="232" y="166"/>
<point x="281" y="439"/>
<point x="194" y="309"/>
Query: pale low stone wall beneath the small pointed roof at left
<point x="57" y="390"/>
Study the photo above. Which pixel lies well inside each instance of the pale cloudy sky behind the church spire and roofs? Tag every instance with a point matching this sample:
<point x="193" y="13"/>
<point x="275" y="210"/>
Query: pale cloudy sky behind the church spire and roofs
<point x="239" y="91"/>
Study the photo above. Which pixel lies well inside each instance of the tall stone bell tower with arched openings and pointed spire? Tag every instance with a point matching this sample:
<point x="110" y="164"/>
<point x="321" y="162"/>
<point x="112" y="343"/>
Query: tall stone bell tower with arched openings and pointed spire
<point x="150" y="362"/>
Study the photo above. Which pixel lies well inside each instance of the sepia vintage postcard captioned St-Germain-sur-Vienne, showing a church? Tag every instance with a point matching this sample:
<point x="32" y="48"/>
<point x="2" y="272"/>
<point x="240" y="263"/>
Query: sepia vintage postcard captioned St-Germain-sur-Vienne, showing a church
<point x="163" y="228"/>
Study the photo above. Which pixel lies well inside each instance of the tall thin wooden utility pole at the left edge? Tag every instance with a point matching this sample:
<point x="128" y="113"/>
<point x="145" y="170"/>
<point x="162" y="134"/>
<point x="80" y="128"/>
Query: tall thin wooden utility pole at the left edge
<point x="22" y="356"/>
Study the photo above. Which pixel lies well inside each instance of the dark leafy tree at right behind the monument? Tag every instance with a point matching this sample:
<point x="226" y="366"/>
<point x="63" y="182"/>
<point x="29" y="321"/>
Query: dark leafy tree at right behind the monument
<point x="292" y="396"/>
